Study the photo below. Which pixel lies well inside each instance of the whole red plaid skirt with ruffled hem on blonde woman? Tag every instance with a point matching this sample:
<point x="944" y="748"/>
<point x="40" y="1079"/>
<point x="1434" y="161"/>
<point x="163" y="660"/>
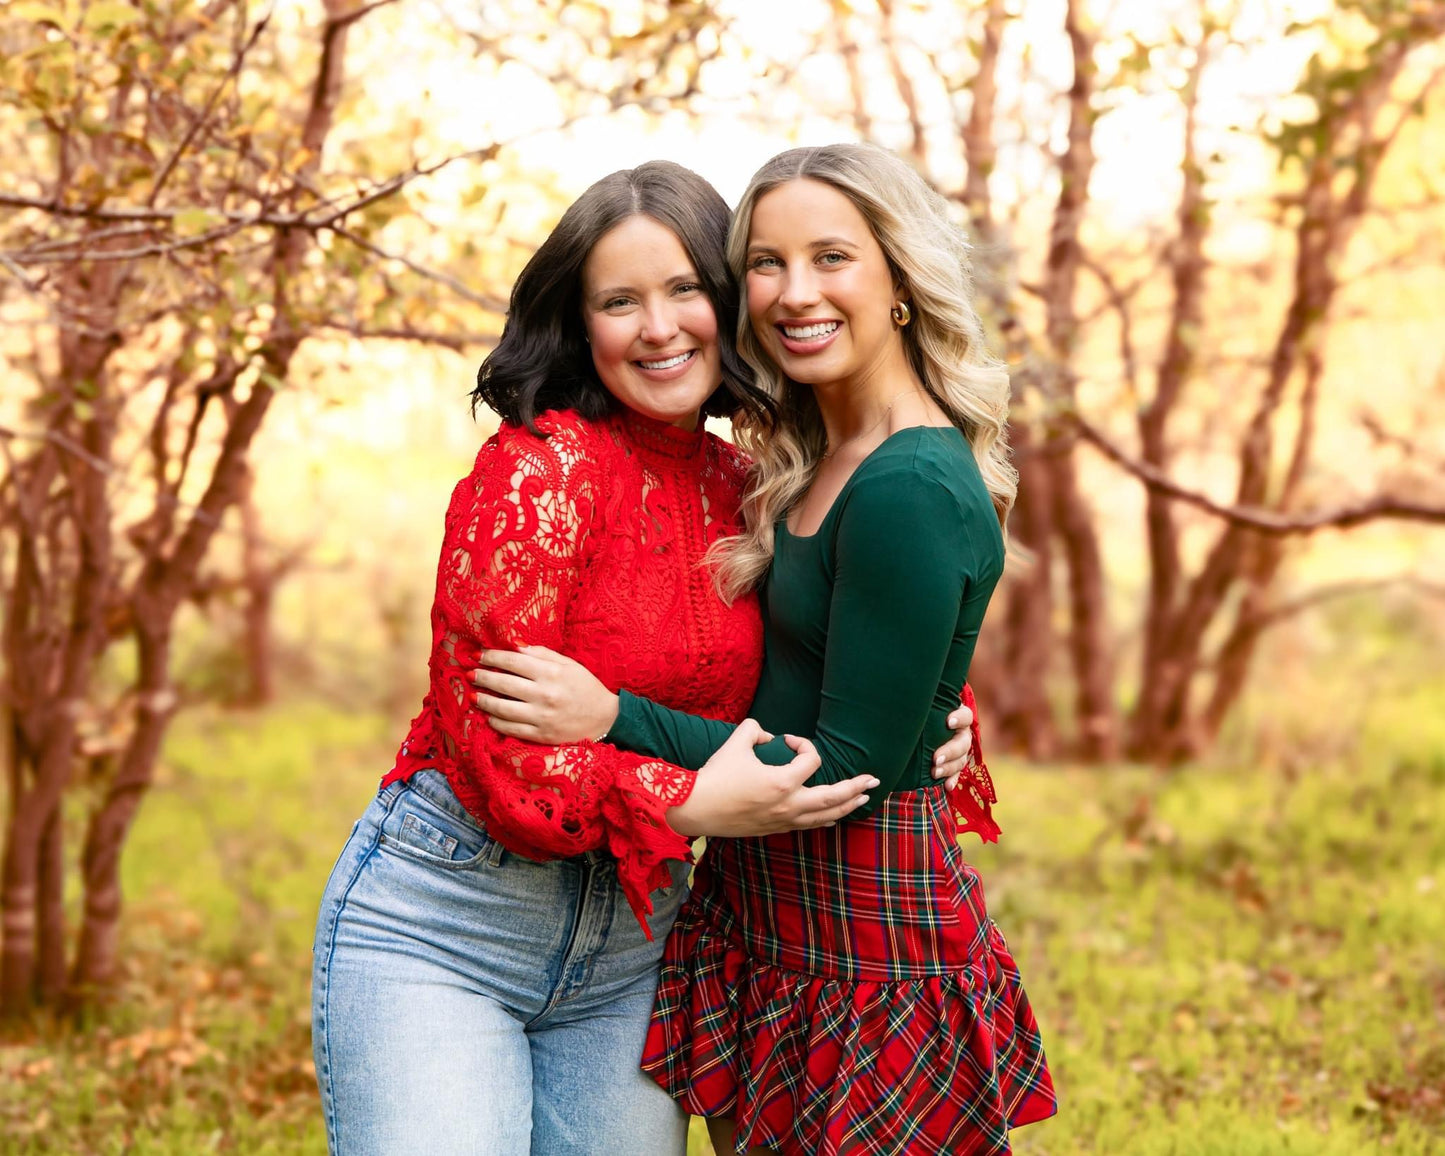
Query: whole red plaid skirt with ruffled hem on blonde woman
<point x="843" y="992"/>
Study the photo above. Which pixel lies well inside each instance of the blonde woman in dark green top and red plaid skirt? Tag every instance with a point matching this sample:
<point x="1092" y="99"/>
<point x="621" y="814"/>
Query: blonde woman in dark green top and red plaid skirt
<point x="843" y="991"/>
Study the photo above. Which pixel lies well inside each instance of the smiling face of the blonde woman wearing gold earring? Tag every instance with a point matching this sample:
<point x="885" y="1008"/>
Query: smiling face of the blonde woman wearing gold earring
<point x="820" y="290"/>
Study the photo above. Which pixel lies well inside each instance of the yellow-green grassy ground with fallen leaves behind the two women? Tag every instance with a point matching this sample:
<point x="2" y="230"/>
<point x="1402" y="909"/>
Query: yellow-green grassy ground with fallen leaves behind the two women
<point x="1228" y="962"/>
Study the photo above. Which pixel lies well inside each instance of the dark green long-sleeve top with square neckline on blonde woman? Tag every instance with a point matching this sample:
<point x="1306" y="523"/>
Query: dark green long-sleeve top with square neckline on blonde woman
<point x="869" y="625"/>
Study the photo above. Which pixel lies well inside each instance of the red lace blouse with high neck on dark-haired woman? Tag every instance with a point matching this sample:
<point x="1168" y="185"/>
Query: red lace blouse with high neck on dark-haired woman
<point x="587" y="541"/>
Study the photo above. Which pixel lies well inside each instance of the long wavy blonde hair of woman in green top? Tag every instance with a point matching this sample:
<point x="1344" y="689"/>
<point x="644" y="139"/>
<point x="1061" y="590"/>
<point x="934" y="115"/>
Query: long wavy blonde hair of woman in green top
<point x="928" y="255"/>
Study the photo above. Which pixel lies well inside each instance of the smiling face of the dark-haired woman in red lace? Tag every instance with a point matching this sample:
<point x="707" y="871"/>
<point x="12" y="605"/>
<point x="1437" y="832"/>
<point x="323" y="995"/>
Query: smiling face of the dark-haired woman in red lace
<point x="652" y="329"/>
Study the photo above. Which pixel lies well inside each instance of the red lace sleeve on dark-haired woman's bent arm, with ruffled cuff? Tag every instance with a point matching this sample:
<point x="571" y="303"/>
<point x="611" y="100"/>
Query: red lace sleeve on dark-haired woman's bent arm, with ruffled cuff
<point x="514" y="553"/>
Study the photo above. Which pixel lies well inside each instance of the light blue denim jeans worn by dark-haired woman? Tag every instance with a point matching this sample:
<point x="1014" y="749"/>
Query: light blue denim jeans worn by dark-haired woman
<point x="467" y="1001"/>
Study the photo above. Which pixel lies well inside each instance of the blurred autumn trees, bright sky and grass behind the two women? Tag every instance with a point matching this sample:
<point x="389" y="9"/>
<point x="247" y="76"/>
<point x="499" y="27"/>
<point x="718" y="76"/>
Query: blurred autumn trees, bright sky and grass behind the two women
<point x="251" y="258"/>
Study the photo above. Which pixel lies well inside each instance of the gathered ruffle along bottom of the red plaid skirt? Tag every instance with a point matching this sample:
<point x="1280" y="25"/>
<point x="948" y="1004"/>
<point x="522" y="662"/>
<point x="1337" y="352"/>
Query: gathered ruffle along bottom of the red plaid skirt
<point x="817" y="1066"/>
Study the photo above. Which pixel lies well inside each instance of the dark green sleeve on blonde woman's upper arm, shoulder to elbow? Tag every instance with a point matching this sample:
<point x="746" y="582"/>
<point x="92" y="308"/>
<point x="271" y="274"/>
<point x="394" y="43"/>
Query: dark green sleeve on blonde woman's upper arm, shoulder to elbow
<point x="901" y="569"/>
